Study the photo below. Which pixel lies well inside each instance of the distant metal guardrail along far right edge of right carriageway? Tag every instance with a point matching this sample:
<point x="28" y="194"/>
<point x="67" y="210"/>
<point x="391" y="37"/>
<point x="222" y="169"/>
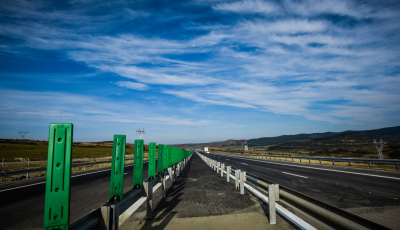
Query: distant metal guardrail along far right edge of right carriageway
<point x="330" y="159"/>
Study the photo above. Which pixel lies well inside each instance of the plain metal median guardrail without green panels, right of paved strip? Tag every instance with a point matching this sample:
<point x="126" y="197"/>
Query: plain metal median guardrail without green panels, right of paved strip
<point x="334" y="215"/>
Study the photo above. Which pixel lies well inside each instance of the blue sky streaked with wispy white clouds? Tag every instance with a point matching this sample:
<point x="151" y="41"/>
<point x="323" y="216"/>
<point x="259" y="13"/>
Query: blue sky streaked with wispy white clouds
<point x="198" y="71"/>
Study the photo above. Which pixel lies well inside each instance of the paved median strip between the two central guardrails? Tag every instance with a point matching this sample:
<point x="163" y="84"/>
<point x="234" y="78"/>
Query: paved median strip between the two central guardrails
<point x="201" y="199"/>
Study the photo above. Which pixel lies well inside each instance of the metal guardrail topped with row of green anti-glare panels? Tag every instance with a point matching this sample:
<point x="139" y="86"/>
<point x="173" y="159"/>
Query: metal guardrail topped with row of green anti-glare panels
<point x="120" y="205"/>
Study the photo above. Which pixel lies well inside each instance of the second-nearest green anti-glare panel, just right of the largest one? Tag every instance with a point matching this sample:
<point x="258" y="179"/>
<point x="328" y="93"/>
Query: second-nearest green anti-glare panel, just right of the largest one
<point x="117" y="168"/>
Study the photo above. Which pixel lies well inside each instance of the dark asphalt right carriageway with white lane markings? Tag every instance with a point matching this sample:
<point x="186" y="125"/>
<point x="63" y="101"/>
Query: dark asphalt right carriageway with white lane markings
<point x="373" y="194"/>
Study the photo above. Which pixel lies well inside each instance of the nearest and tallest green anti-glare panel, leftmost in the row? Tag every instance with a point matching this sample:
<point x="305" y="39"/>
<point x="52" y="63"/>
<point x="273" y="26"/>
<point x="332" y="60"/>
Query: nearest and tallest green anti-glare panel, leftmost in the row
<point x="58" y="178"/>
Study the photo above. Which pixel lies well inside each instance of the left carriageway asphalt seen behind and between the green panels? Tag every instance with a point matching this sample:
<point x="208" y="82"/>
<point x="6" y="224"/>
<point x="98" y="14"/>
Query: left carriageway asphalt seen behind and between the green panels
<point x="22" y="203"/>
